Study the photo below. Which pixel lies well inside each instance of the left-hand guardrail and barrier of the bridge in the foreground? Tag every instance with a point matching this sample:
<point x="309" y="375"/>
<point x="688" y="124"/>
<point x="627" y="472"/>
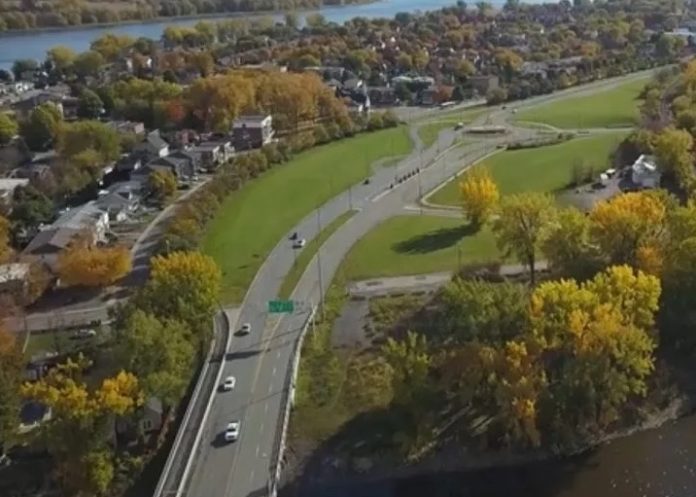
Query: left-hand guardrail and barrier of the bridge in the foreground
<point x="174" y="473"/>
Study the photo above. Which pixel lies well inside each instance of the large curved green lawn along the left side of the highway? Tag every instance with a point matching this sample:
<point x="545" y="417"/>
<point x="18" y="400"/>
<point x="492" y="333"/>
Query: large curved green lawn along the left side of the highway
<point x="251" y="221"/>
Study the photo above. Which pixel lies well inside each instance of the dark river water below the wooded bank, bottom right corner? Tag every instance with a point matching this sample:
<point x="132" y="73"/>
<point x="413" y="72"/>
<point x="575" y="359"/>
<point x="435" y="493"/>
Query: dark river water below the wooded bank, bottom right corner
<point x="653" y="463"/>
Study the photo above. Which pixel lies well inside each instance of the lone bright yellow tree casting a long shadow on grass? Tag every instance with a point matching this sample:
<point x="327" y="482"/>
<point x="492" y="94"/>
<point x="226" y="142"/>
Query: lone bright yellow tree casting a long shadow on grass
<point x="479" y="195"/>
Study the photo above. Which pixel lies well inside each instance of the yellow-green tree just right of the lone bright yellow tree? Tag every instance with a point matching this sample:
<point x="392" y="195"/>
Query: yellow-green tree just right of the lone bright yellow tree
<point x="520" y="226"/>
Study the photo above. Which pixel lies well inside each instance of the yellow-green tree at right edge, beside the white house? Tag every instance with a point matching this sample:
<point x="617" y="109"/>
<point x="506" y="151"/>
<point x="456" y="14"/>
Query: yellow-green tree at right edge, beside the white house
<point x="674" y="152"/>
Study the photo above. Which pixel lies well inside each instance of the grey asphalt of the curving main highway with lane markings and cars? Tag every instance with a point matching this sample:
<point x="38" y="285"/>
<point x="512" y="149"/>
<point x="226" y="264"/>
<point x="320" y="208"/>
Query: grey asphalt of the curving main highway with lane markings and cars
<point x="261" y="360"/>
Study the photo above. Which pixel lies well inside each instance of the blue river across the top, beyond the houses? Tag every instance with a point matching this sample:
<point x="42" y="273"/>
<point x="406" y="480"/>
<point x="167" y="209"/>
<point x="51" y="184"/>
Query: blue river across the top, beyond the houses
<point x="33" y="45"/>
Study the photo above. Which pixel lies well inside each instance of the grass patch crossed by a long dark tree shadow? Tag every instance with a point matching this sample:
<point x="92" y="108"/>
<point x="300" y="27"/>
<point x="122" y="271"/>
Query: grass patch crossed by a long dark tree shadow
<point x="418" y="244"/>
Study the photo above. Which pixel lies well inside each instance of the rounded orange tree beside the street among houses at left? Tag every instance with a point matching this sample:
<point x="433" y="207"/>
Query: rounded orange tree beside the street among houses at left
<point x="84" y="265"/>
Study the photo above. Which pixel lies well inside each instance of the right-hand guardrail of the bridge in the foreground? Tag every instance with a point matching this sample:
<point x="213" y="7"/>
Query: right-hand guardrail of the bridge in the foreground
<point x="287" y="401"/>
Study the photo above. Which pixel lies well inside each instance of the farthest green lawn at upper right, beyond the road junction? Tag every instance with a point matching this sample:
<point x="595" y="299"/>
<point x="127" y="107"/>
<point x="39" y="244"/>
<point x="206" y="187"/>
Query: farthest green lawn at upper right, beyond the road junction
<point x="617" y="106"/>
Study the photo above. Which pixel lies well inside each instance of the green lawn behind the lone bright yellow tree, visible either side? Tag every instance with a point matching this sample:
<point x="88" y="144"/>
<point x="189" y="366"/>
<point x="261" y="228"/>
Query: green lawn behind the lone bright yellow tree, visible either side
<point x="543" y="169"/>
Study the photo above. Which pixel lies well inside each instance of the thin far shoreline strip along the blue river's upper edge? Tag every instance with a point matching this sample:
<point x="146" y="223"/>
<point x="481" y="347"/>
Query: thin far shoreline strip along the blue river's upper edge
<point x="163" y="19"/>
